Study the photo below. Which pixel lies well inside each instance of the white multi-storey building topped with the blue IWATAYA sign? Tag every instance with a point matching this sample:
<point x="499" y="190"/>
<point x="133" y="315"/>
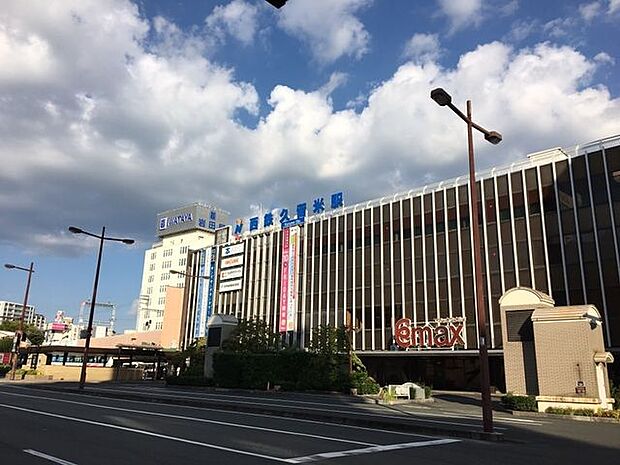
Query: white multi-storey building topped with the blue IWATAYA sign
<point x="179" y="230"/>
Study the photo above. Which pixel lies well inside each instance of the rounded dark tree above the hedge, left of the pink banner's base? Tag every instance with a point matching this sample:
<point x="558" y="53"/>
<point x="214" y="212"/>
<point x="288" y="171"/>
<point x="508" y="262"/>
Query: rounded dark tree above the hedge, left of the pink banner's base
<point x="253" y="336"/>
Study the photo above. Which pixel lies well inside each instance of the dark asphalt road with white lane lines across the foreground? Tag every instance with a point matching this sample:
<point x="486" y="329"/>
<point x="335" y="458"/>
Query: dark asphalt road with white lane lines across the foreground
<point x="43" y="427"/>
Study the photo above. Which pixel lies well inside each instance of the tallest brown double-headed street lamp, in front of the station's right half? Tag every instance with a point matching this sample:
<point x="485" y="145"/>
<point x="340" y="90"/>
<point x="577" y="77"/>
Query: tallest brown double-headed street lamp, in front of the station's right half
<point x="442" y="98"/>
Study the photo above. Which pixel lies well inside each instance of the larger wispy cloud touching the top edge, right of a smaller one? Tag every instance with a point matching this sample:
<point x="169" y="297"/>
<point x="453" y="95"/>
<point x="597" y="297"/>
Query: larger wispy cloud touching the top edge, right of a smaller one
<point x="329" y="27"/>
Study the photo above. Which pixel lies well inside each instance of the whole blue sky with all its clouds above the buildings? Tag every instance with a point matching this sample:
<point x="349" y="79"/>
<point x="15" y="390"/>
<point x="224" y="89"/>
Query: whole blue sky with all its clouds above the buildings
<point x="114" y="110"/>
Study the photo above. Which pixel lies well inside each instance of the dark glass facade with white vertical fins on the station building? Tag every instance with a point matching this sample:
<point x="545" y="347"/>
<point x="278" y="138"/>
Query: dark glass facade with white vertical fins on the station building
<point x="550" y="222"/>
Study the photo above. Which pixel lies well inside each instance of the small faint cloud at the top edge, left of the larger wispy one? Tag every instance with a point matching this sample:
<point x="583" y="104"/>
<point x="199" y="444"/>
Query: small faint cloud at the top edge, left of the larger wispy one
<point x="238" y="19"/>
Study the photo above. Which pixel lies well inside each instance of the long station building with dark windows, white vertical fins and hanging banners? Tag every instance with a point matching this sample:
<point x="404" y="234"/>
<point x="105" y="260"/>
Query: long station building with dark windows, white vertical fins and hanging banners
<point x="550" y="222"/>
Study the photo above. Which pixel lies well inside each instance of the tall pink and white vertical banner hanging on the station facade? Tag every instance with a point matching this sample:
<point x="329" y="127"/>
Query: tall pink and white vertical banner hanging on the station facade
<point x="288" y="279"/>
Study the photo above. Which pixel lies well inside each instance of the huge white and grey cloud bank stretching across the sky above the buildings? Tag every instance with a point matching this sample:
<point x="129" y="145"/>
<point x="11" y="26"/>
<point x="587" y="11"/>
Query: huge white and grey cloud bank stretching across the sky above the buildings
<point x="113" y="128"/>
